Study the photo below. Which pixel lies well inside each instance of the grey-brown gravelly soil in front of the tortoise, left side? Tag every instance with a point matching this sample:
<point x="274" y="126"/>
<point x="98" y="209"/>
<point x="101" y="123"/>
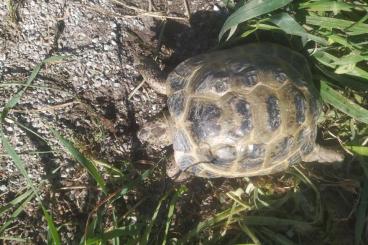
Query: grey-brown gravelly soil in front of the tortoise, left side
<point x="90" y="96"/>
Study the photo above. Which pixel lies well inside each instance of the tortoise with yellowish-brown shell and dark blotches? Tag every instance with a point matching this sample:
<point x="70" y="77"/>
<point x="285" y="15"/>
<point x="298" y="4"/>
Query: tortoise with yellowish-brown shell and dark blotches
<point x="246" y="111"/>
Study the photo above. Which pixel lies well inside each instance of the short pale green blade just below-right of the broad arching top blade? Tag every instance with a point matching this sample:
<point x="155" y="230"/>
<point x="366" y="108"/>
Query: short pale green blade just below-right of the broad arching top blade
<point x="290" y="26"/>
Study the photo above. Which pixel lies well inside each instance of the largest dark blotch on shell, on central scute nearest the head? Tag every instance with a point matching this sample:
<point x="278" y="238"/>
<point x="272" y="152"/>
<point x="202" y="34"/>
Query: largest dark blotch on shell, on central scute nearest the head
<point x="204" y="117"/>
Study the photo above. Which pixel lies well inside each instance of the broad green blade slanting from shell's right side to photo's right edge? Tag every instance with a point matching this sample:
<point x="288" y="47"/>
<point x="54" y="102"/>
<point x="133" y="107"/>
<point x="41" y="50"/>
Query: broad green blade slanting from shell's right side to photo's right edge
<point x="340" y="102"/>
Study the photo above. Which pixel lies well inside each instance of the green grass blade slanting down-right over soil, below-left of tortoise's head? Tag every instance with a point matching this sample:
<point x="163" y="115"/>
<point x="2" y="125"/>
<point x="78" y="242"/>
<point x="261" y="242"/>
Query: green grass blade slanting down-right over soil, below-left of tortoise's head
<point x="85" y="162"/>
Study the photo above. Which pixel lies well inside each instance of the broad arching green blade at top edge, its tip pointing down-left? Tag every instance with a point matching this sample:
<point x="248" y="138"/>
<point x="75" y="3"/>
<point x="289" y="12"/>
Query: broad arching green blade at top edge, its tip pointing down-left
<point x="250" y="10"/>
